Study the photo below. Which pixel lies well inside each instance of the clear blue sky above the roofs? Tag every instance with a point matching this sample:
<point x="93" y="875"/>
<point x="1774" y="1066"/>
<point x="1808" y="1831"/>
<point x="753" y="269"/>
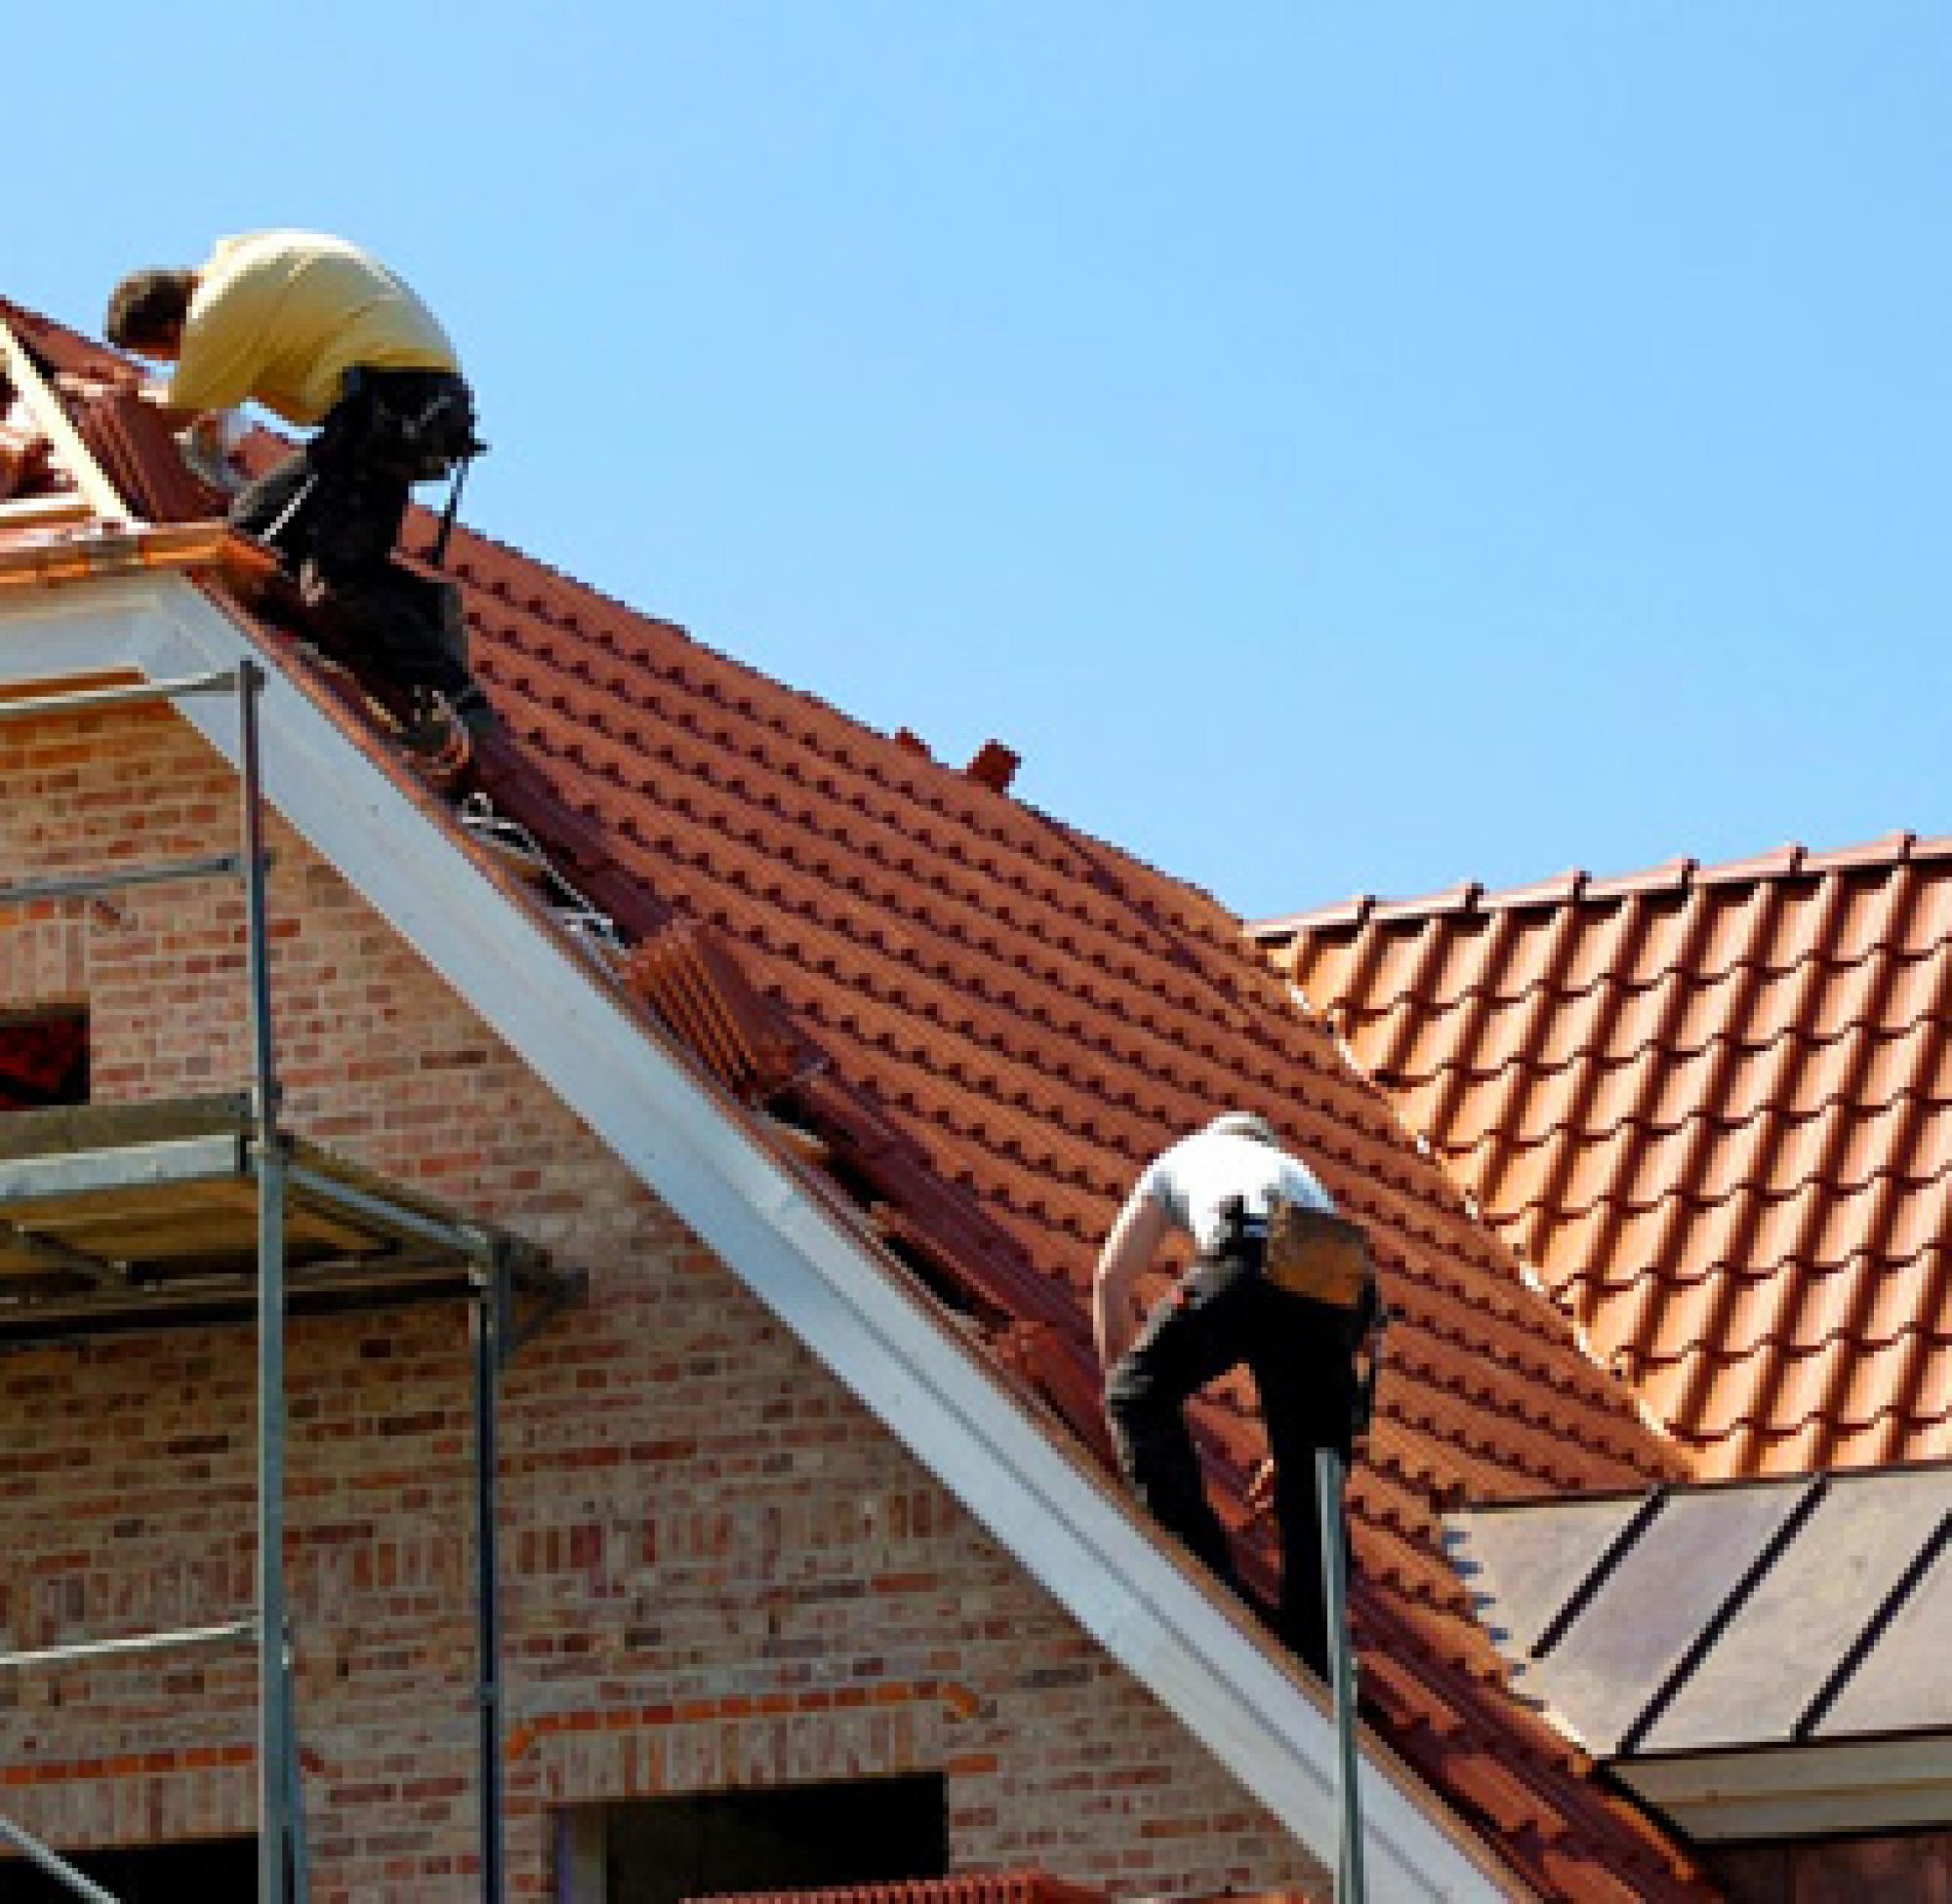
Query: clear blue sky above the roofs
<point x="1340" y="448"/>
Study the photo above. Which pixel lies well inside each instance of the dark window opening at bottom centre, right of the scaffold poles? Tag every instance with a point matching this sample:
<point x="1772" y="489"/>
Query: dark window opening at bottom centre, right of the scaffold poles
<point x="788" y="1839"/>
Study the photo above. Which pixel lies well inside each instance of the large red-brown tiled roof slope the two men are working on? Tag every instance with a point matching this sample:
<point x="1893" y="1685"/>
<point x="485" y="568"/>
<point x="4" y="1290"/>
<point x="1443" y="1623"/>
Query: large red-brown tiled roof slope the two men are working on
<point x="985" y="1023"/>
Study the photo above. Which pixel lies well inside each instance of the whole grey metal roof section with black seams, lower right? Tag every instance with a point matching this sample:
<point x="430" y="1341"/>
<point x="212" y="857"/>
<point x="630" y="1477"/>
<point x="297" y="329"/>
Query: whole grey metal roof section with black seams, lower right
<point x="1732" y="1616"/>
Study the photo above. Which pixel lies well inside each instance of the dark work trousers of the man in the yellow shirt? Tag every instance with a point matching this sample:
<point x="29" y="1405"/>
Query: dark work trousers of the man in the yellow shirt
<point x="339" y="541"/>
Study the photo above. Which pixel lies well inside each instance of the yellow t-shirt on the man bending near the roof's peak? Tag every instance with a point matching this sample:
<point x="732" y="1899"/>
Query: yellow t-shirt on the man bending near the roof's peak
<point x="282" y="317"/>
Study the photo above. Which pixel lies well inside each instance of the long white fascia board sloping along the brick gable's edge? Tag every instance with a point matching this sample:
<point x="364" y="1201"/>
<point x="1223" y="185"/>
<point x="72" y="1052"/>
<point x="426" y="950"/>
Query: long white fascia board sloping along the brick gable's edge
<point x="805" y="1261"/>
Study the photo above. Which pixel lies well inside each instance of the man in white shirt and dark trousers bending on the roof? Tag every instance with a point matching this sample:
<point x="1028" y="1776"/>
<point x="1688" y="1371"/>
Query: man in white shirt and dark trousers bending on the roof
<point x="1219" y="1187"/>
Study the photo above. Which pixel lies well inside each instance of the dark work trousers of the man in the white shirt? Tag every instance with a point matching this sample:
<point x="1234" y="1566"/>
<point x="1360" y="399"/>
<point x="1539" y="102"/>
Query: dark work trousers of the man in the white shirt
<point x="1225" y="1314"/>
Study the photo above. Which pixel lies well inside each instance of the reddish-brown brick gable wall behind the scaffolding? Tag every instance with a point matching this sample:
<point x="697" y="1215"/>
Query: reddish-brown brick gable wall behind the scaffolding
<point x="719" y="1569"/>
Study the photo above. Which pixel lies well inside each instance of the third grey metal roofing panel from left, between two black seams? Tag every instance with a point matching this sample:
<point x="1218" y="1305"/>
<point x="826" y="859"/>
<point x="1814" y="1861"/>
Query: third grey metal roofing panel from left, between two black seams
<point x="1807" y="1614"/>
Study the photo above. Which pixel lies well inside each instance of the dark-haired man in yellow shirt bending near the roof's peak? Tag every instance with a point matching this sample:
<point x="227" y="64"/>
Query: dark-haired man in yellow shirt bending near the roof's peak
<point x="323" y="335"/>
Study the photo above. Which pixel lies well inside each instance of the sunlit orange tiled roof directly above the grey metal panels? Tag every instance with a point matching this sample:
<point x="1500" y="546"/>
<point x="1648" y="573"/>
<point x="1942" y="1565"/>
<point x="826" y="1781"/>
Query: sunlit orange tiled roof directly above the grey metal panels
<point x="1713" y="1107"/>
